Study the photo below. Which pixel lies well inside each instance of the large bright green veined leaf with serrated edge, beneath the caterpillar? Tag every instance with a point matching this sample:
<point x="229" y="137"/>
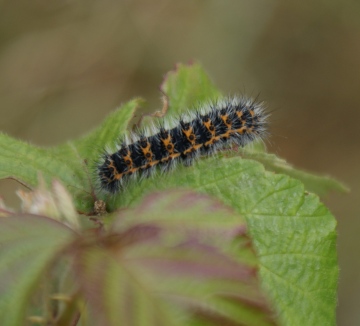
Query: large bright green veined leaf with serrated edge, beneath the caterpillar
<point x="293" y="233"/>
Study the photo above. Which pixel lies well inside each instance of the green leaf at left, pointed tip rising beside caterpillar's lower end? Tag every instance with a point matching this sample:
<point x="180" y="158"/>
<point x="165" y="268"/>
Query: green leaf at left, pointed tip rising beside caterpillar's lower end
<point x="72" y="163"/>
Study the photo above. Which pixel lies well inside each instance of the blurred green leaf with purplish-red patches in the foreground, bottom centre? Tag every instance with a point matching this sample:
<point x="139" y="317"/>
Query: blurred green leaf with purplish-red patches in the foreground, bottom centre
<point x="171" y="266"/>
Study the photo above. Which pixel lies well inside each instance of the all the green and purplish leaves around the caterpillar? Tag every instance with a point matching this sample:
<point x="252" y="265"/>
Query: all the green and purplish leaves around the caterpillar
<point x="243" y="242"/>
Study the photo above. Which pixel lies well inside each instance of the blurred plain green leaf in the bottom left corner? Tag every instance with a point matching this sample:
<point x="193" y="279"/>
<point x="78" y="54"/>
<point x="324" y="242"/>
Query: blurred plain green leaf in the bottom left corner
<point x="28" y="245"/>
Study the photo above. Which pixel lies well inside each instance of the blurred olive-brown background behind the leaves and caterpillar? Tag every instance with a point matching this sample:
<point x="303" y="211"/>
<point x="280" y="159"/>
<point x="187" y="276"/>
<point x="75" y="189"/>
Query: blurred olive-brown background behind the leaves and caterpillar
<point x="64" y="65"/>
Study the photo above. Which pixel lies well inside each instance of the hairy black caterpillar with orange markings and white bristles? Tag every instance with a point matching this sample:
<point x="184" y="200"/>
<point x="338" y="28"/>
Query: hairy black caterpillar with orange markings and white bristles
<point x="201" y="132"/>
